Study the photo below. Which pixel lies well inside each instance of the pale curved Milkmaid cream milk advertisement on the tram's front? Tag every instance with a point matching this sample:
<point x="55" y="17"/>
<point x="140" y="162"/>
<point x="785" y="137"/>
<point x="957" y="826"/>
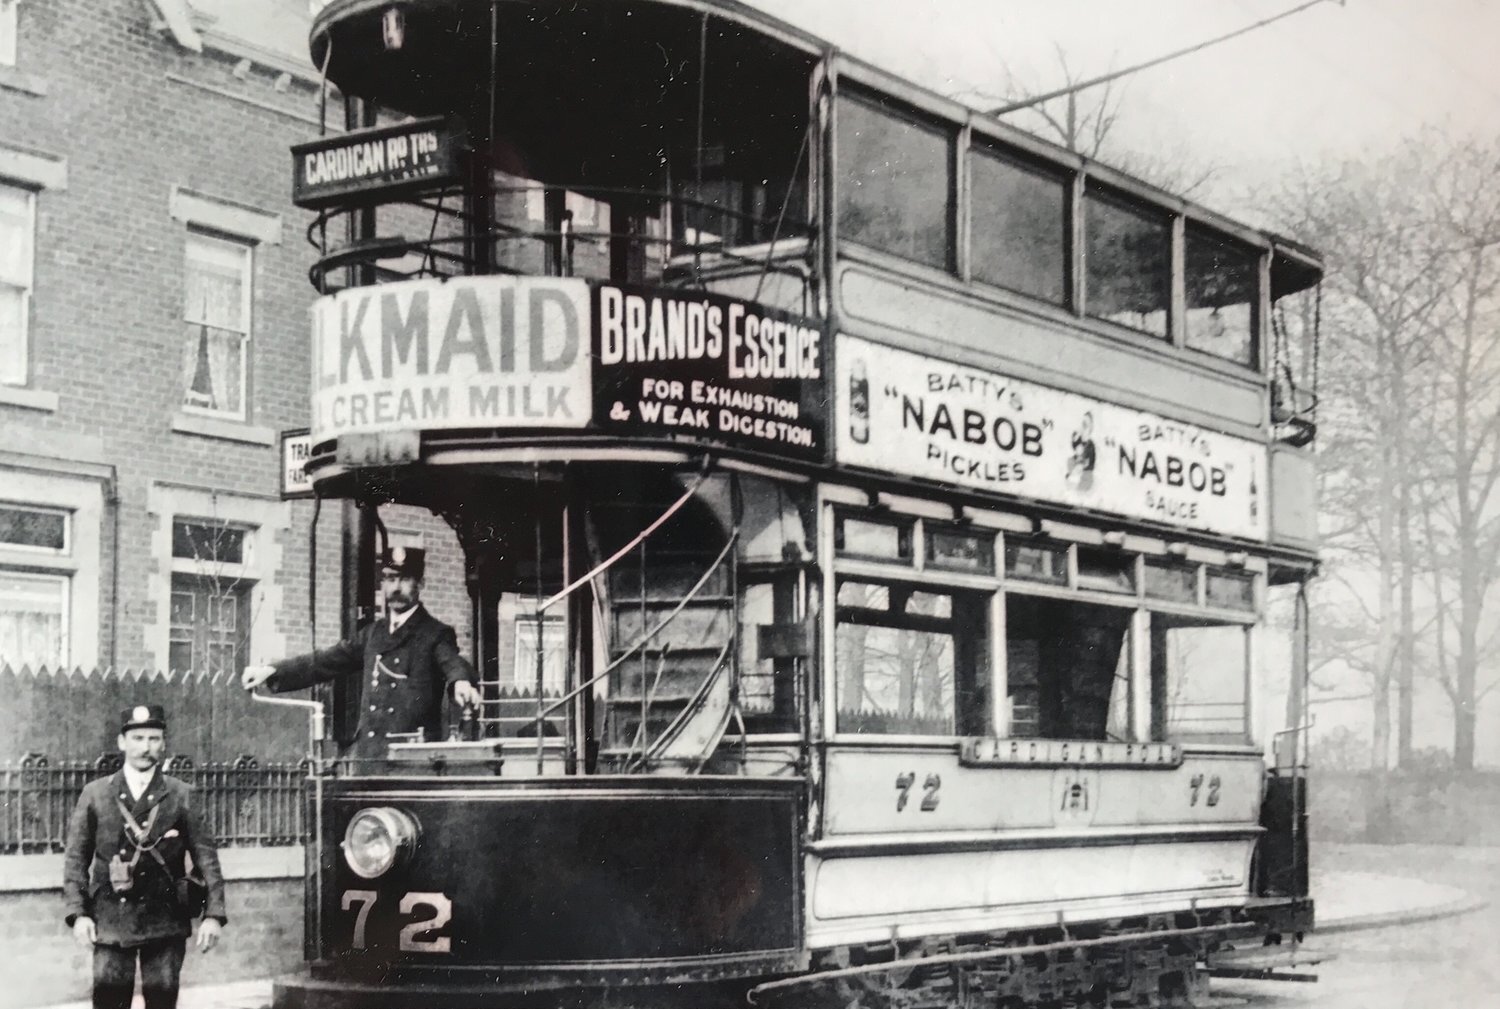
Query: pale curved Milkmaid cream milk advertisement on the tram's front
<point x="494" y="352"/>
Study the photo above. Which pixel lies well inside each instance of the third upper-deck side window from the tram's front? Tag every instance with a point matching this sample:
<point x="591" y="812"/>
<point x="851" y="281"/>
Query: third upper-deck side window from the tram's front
<point x="1129" y="265"/>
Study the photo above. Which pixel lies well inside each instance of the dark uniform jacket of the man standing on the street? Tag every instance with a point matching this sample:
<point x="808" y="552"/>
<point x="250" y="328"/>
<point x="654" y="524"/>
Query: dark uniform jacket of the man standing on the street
<point x="148" y="908"/>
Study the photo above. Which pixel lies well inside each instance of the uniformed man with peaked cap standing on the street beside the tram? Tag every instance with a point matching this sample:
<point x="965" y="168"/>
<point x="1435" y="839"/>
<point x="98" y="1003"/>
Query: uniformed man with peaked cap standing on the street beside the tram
<point x="125" y="876"/>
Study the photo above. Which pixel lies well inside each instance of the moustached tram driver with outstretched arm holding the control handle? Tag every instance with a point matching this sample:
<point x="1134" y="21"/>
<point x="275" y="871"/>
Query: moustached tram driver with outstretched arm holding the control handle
<point x="410" y="660"/>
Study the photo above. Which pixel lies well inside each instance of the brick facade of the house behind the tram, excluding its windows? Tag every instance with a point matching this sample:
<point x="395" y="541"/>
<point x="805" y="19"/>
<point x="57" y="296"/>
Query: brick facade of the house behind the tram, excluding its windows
<point x="136" y="116"/>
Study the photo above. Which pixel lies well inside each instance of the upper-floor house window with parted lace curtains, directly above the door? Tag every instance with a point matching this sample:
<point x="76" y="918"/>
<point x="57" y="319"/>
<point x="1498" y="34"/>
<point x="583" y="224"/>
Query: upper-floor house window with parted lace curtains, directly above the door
<point x="218" y="326"/>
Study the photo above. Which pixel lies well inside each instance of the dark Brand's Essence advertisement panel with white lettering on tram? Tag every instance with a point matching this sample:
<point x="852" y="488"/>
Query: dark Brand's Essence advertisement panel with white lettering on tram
<point x="704" y="368"/>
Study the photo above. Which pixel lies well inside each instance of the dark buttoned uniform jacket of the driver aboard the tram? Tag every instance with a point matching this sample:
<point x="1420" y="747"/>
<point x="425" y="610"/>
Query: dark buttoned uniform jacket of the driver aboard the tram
<point x="407" y="677"/>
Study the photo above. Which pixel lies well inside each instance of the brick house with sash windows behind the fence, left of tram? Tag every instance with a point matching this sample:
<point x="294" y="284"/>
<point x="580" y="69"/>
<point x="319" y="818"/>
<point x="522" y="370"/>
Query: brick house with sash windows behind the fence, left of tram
<point x="154" y="341"/>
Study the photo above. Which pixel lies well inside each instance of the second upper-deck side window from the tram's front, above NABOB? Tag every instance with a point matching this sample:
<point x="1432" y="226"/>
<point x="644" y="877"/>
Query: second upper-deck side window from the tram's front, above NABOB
<point x="1019" y="232"/>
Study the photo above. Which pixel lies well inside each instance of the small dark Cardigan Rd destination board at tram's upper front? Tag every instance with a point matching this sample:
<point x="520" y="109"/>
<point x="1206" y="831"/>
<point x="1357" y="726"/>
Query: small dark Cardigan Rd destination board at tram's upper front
<point x="383" y="161"/>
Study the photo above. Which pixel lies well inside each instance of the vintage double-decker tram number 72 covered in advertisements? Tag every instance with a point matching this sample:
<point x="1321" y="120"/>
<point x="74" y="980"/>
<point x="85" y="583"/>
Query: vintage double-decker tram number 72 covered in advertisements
<point x="868" y="516"/>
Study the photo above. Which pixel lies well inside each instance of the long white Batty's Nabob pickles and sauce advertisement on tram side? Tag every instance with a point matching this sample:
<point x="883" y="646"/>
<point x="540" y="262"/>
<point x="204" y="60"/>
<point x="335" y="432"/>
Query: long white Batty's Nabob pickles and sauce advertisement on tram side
<point x="922" y="418"/>
